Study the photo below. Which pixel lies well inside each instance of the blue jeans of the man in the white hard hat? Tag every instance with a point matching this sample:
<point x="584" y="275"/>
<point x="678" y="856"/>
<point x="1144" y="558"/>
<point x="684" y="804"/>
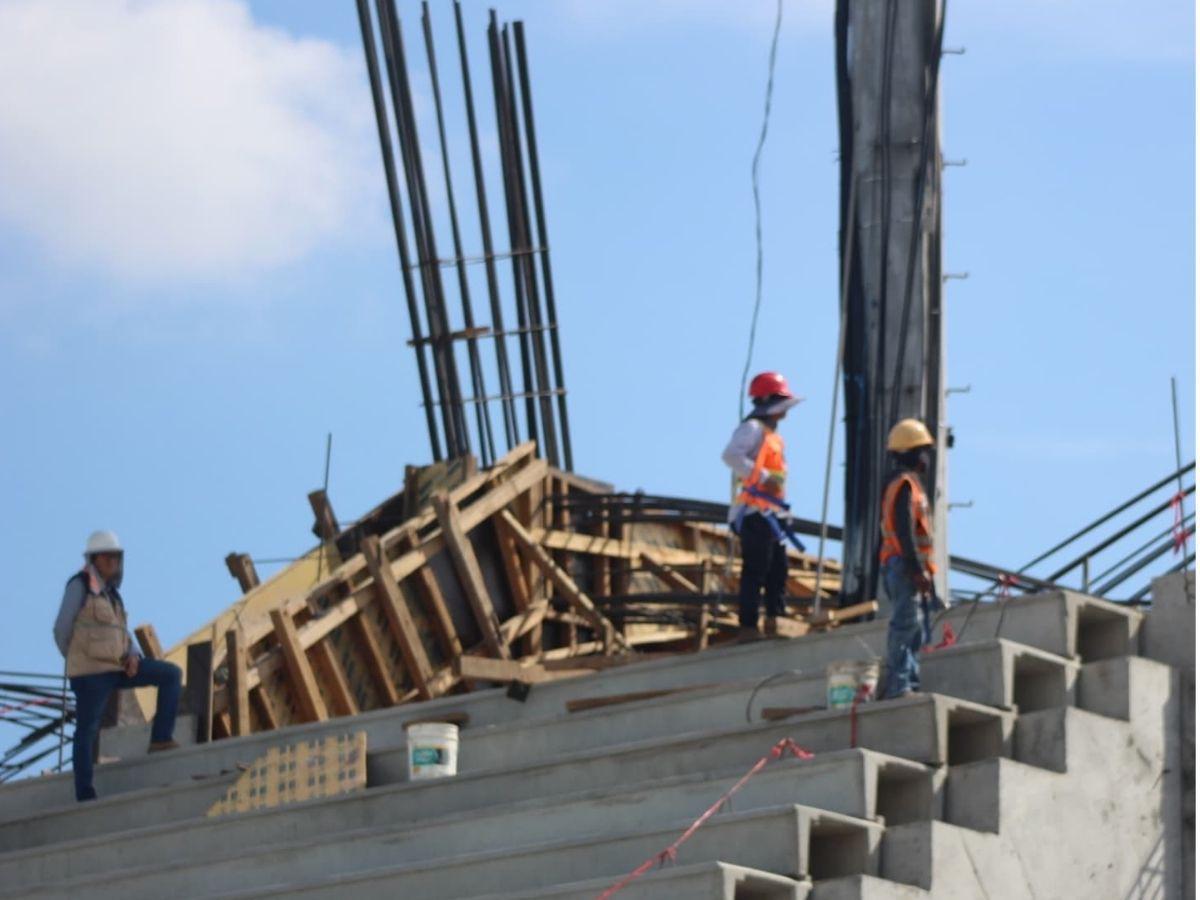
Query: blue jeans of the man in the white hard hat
<point x="92" y="695"/>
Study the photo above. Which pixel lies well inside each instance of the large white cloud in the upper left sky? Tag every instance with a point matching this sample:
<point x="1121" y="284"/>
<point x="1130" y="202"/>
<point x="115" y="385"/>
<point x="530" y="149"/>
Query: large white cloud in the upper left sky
<point x="169" y="140"/>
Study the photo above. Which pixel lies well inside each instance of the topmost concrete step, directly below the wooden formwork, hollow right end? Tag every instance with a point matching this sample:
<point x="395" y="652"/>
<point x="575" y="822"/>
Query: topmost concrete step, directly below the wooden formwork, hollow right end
<point x="1063" y="623"/>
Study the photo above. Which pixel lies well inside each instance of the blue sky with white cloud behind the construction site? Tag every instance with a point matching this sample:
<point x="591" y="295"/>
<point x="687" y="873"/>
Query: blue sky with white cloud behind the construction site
<point x="199" y="279"/>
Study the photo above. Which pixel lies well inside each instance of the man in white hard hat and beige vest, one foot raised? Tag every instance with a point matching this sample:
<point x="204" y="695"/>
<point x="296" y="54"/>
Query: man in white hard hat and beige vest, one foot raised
<point x="92" y="633"/>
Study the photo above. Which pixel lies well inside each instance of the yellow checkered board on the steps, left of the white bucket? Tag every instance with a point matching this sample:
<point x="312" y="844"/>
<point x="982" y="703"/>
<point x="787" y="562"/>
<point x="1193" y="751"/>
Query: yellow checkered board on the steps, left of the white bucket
<point x="304" y="771"/>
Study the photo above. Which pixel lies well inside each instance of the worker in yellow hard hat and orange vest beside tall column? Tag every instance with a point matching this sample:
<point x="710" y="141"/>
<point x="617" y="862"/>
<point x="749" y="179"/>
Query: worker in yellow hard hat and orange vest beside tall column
<point x="907" y="556"/>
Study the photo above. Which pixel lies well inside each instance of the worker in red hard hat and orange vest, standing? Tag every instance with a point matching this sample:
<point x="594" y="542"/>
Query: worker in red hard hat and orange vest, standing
<point x="759" y="514"/>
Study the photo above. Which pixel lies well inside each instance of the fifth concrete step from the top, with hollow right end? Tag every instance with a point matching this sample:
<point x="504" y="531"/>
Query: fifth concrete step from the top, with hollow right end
<point x="793" y="842"/>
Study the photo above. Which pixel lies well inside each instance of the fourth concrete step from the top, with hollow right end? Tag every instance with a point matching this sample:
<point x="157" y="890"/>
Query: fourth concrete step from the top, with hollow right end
<point x="857" y="783"/>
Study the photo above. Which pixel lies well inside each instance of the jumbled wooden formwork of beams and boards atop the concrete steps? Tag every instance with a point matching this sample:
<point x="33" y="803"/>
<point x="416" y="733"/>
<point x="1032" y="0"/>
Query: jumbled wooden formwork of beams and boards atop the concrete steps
<point x="520" y="573"/>
